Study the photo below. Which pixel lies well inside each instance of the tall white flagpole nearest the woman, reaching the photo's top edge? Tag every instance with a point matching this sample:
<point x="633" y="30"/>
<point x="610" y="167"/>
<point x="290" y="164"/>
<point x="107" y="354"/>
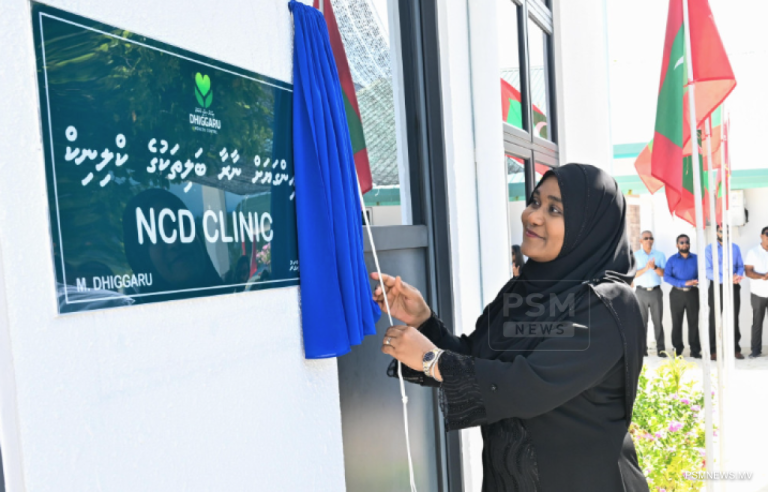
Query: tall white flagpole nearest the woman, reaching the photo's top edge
<point x="700" y="245"/>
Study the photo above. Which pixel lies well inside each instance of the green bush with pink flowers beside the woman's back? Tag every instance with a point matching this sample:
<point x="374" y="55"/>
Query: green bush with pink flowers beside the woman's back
<point x="668" y="427"/>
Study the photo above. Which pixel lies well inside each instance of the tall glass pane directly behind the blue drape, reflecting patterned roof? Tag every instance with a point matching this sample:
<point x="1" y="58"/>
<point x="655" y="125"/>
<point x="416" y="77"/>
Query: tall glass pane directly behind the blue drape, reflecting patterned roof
<point x="367" y="34"/>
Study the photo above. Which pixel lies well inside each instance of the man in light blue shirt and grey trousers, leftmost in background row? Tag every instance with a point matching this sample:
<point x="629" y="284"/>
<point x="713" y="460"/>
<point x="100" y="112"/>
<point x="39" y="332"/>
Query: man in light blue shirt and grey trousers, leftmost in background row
<point x="648" y="287"/>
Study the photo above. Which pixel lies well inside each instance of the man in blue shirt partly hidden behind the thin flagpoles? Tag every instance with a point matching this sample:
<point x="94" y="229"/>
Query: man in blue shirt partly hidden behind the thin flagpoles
<point x="738" y="275"/>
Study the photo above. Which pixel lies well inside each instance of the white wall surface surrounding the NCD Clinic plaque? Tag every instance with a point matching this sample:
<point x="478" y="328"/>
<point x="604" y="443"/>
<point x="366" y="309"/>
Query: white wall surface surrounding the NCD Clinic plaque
<point x="208" y="394"/>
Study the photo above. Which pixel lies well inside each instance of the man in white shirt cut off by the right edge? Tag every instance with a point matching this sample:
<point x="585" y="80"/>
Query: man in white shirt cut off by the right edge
<point x="756" y="268"/>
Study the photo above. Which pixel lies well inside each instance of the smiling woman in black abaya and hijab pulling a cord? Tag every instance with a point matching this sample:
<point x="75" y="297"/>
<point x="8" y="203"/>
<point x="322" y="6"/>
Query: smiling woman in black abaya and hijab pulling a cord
<point x="553" y="406"/>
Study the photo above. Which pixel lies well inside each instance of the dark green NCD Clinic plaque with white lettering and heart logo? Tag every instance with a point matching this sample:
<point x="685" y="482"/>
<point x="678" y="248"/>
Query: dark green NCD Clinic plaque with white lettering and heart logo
<point x="170" y="175"/>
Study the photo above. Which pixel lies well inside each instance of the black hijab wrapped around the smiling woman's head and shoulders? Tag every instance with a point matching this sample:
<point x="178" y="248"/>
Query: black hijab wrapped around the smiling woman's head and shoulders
<point x="595" y="250"/>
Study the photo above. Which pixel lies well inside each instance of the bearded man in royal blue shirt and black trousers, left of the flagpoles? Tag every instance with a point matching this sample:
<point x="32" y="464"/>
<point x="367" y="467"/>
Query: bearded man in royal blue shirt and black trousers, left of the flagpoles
<point x="682" y="272"/>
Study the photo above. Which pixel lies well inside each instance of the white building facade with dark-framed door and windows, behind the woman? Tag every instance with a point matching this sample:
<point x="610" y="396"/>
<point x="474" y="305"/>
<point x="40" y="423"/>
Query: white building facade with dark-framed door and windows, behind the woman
<point x="215" y="393"/>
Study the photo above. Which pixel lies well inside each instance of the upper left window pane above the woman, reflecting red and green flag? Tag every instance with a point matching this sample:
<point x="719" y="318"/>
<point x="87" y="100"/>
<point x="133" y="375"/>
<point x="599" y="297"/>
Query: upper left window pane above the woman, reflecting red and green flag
<point x="509" y="63"/>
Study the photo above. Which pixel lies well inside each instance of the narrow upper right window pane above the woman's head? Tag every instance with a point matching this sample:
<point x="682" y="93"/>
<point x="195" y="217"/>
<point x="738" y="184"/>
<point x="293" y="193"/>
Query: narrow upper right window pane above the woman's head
<point x="538" y="42"/>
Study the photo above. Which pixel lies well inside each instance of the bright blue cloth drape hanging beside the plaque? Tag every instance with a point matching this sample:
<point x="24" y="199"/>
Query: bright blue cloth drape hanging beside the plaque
<point x="337" y="309"/>
